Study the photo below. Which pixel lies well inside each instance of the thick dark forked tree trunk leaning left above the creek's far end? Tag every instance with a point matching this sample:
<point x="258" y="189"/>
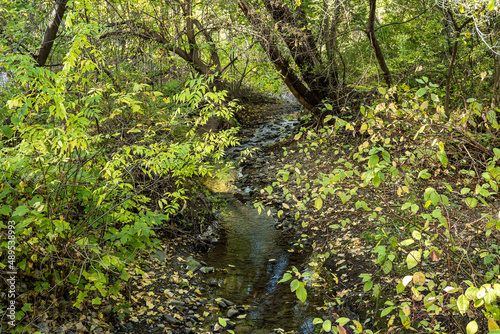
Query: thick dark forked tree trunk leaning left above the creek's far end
<point x="312" y="83"/>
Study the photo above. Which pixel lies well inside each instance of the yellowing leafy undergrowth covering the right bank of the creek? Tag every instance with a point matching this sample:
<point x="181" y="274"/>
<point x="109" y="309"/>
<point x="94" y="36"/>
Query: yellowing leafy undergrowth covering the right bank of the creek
<point x="422" y="193"/>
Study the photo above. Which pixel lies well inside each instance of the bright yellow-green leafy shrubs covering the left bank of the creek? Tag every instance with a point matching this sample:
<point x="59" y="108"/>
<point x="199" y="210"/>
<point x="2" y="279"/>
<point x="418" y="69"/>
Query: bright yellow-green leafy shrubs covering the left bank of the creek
<point x="89" y="175"/>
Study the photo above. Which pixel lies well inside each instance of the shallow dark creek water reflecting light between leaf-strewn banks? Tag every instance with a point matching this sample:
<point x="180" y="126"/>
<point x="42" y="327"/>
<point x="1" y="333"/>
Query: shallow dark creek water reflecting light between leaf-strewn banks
<point x="255" y="255"/>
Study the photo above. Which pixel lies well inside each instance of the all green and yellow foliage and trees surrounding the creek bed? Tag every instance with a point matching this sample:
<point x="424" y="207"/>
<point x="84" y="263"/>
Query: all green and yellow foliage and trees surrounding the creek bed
<point x="111" y="112"/>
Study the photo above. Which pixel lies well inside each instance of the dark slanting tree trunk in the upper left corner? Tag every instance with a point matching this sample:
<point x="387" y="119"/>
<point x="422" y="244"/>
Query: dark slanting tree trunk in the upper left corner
<point x="55" y="18"/>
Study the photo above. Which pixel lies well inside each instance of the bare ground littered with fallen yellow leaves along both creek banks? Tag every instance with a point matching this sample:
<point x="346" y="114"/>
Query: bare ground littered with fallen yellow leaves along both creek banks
<point x="174" y="299"/>
